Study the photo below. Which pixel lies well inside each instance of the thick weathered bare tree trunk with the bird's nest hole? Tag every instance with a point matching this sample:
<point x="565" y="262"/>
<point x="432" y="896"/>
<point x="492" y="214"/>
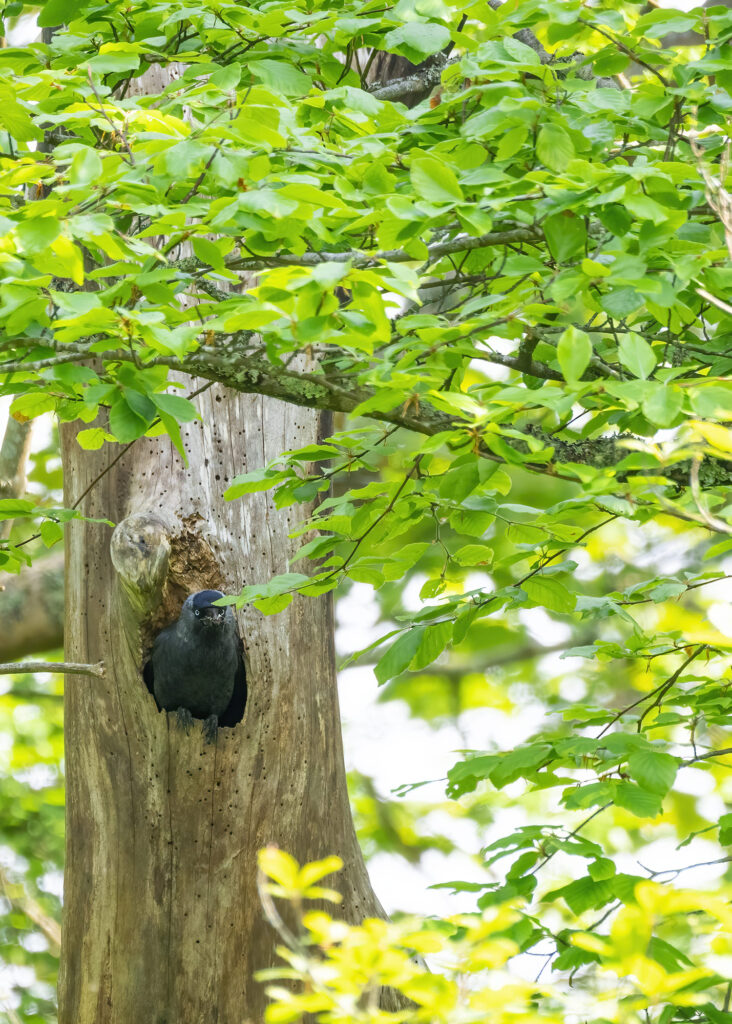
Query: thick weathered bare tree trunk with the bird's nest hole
<point x="162" y="922"/>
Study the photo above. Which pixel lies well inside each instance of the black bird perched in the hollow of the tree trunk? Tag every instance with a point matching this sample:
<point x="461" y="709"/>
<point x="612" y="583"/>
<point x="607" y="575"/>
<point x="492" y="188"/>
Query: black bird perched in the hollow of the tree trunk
<point x="197" y="662"/>
